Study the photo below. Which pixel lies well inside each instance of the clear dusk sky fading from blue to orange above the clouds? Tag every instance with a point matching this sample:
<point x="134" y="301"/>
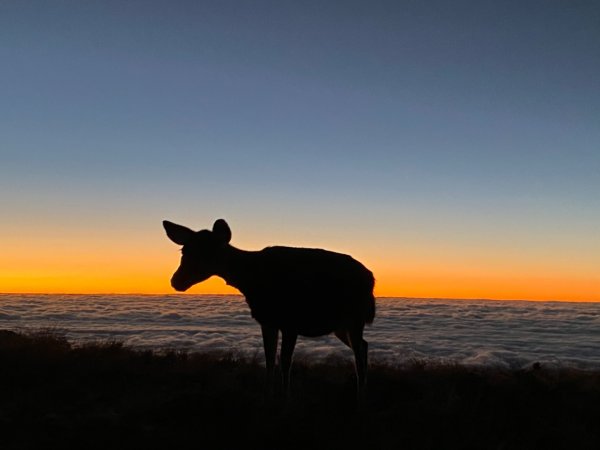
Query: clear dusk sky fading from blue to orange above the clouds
<point x="452" y="147"/>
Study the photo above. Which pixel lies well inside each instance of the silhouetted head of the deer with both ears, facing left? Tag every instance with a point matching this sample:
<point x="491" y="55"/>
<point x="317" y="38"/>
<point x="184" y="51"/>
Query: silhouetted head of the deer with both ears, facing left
<point x="201" y="254"/>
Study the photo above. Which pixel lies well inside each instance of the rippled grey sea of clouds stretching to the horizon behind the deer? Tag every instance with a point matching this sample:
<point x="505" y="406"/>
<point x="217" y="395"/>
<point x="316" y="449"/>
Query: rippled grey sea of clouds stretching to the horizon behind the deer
<point x="488" y="333"/>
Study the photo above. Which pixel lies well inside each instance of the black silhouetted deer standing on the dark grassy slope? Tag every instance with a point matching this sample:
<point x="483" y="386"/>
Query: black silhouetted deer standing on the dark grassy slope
<point x="297" y="291"/>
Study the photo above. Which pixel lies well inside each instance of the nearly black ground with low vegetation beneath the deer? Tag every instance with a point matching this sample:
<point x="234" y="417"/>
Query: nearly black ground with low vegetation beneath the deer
<point x="55" y="395"/>
